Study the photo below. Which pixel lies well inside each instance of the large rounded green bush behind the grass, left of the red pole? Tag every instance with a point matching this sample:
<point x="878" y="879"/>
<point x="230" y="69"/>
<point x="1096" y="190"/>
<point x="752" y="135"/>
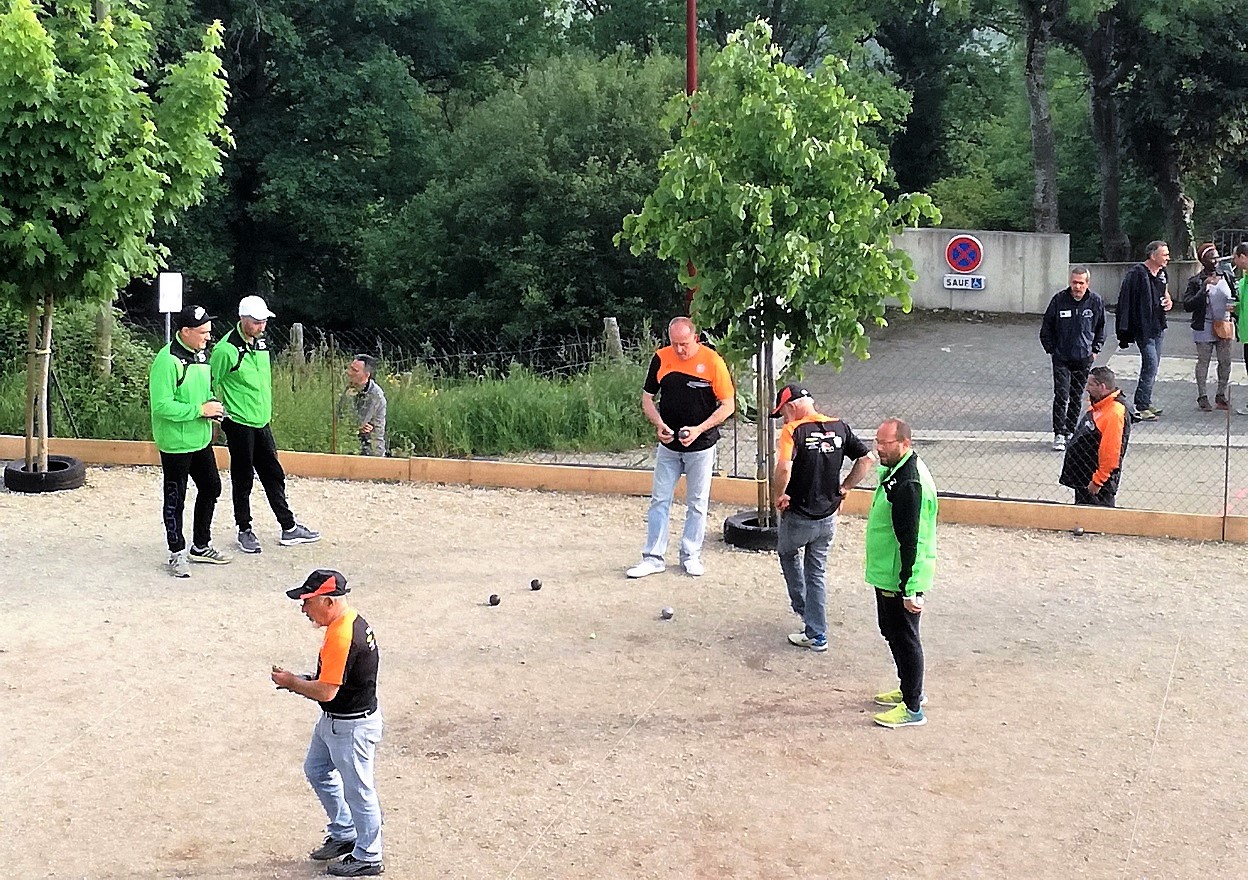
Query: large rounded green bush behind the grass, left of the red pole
<point x="514" y="234"/>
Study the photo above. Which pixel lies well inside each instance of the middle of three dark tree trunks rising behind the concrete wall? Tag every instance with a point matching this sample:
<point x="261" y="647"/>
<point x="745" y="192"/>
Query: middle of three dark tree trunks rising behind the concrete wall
<point x="1099" y="54"/>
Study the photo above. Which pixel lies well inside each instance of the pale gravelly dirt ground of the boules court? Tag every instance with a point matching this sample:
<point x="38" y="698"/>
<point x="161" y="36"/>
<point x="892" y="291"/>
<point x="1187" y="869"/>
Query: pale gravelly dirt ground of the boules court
<point x="1086" y="721"/>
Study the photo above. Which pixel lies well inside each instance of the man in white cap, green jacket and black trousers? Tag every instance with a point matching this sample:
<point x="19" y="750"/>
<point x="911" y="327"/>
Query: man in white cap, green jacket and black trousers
<point x="243" y="380"/>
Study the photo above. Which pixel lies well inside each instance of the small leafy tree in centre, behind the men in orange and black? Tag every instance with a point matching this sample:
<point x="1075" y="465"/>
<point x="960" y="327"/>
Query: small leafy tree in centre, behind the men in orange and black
<point x="773" y="194"/>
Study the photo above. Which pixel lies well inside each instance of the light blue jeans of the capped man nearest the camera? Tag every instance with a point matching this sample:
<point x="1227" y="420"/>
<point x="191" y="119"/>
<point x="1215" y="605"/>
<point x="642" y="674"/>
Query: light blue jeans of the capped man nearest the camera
<point x="340" y="768"/>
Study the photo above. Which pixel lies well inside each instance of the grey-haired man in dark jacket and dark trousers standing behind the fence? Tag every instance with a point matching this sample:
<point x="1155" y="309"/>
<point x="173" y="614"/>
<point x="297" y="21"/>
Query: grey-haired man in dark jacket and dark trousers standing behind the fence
<point x="1073" y="334"/>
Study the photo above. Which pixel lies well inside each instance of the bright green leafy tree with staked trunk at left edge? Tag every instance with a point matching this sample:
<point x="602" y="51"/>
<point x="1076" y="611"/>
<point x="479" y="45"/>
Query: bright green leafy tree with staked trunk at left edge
<point x="93" y="158"/>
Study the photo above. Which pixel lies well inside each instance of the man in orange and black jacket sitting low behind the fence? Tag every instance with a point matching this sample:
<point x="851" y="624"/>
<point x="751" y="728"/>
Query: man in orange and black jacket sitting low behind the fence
<point x="1094" y="456"/>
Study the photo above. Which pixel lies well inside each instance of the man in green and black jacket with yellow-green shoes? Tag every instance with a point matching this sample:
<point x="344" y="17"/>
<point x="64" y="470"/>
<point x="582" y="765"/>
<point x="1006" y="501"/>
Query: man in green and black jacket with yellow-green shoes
<point x="902" y="566"/>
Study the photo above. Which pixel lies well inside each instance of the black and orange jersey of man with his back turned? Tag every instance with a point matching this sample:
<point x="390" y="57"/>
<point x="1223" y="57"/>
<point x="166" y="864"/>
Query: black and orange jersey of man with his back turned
<point x="818" y="447"/>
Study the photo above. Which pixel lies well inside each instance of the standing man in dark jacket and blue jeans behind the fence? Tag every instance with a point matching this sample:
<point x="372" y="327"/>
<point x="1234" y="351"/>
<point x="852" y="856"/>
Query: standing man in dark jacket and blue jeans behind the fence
<point x="1141" y="320"/>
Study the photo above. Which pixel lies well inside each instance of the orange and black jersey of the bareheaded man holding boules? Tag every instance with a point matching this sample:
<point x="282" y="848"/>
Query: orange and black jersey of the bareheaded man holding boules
<point x="690" y="391"/>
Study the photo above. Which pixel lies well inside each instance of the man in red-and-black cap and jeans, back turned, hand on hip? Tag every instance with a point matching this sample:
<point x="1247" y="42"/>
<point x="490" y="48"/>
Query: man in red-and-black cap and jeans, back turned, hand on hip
<point x="808" y="490"/>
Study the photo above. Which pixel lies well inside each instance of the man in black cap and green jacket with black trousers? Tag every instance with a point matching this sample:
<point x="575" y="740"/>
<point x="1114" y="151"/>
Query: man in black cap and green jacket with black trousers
<point x="183" y="413"/>
